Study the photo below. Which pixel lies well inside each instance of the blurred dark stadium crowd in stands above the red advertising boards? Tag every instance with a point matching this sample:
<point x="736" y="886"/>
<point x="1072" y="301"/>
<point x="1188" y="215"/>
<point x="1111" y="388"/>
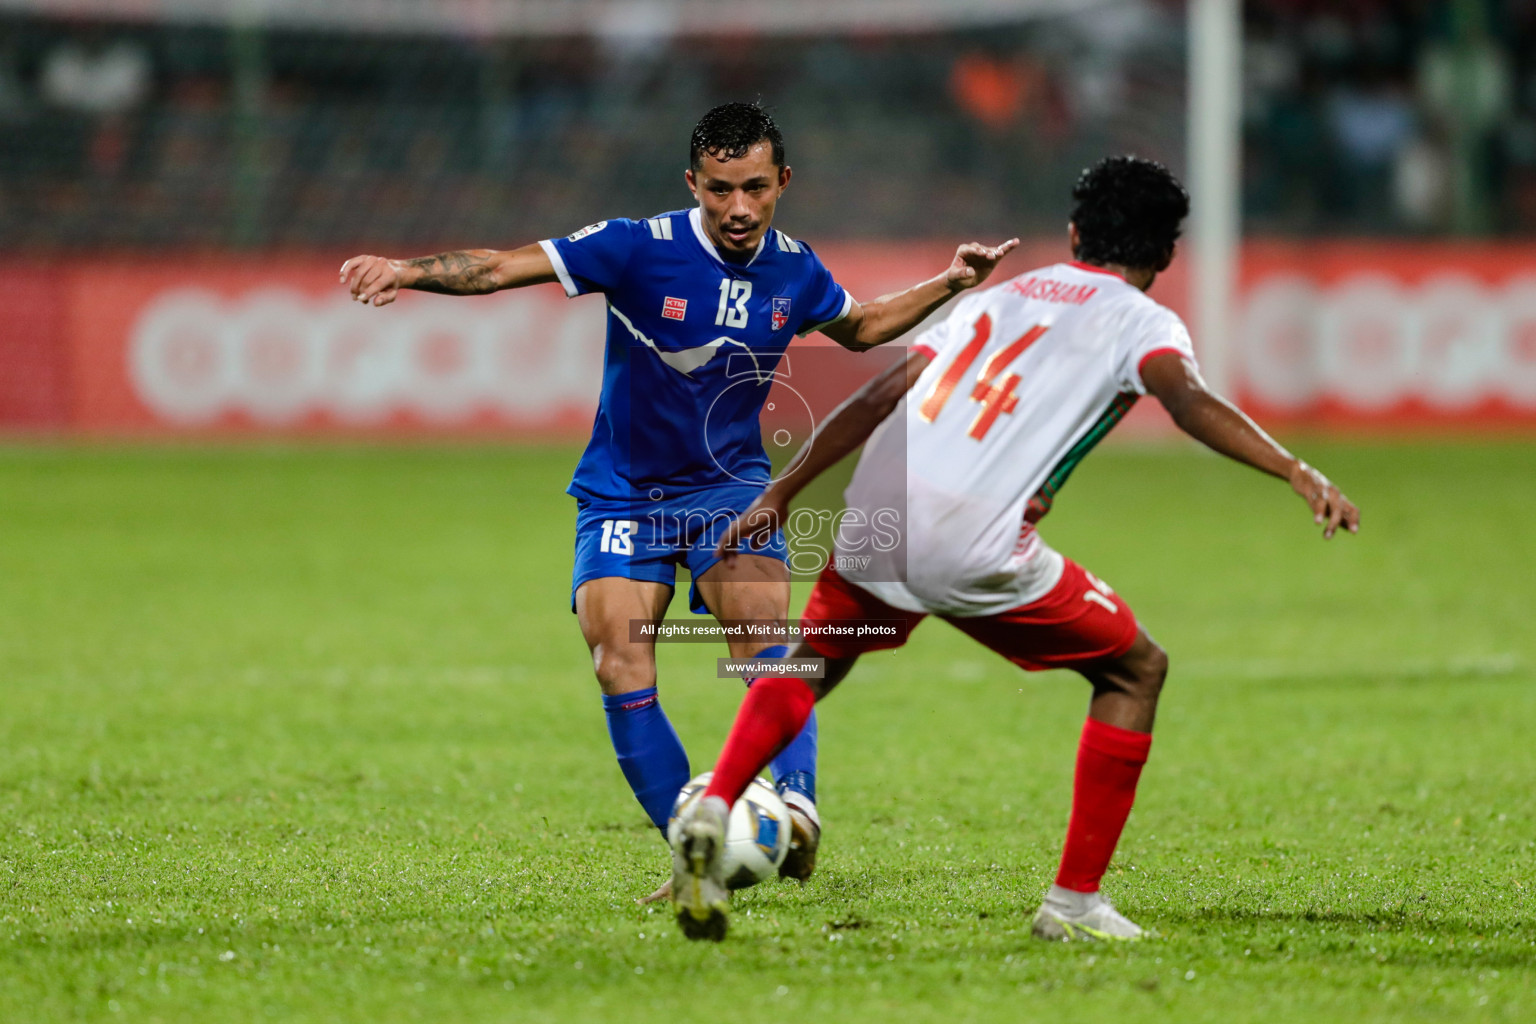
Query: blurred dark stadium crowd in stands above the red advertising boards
<point x="1374" y="117"/>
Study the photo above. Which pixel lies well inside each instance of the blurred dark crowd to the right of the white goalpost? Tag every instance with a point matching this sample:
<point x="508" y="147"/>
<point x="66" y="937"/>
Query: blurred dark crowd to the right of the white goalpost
<point x="1391" y="117"/>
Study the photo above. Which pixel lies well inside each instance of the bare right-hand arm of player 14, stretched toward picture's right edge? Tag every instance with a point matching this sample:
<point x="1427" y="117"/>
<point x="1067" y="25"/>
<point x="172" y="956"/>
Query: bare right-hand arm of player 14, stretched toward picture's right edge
<point x="1222" y="428"/>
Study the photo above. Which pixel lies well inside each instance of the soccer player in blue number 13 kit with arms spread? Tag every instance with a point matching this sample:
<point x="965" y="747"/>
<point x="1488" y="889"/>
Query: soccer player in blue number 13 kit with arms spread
<point x="703" y="305"/>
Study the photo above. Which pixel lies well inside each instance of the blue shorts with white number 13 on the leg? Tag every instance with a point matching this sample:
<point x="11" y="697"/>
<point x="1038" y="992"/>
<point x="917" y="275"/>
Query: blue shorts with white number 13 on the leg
<point x="649" y="543"/>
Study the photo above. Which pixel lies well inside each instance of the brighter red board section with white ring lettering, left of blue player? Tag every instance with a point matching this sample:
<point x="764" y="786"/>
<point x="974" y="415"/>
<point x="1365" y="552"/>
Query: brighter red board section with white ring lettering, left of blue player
<point x="279" y="348"/>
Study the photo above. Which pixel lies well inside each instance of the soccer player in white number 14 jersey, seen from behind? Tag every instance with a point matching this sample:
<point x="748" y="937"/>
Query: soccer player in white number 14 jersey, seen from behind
<point x="1002" y="401"/>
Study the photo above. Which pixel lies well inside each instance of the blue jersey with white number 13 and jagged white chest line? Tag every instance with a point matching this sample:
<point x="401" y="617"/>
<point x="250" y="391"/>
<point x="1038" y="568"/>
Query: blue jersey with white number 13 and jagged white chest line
<point x="694" y="343"/>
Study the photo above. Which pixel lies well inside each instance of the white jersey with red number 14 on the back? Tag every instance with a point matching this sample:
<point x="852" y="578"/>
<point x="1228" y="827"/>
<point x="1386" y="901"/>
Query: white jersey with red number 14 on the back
<point x="1025" y="380"/>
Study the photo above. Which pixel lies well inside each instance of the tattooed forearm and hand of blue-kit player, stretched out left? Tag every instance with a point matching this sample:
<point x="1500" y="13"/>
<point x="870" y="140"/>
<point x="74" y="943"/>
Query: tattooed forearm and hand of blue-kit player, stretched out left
<point x="377" y="280"/>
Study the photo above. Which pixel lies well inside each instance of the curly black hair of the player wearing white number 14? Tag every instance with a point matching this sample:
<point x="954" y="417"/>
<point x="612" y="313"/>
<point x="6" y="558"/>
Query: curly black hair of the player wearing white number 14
<point x="1128" y="213"/>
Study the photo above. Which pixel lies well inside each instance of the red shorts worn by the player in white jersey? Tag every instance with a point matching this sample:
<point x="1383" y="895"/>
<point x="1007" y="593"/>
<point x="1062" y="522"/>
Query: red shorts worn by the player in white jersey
<point x="1081" y="621"/>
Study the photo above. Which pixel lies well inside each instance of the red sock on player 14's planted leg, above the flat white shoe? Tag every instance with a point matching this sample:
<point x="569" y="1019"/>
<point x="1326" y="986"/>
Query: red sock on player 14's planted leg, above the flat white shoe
<point x="1110" y="764"/>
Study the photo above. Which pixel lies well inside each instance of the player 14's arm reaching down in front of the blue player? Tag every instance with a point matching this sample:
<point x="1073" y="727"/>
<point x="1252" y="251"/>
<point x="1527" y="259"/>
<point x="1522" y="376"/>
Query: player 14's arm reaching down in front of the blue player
<point x="849" y="428"/>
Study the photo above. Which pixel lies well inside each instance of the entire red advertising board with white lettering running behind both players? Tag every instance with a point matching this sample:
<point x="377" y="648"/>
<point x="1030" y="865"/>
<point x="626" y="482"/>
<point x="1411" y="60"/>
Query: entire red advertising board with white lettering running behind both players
<point x="1328" y="334"/>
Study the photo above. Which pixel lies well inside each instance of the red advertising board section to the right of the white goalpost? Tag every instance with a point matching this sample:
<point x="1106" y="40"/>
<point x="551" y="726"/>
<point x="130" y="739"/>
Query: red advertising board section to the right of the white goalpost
<point x="1389" y="335"/>
